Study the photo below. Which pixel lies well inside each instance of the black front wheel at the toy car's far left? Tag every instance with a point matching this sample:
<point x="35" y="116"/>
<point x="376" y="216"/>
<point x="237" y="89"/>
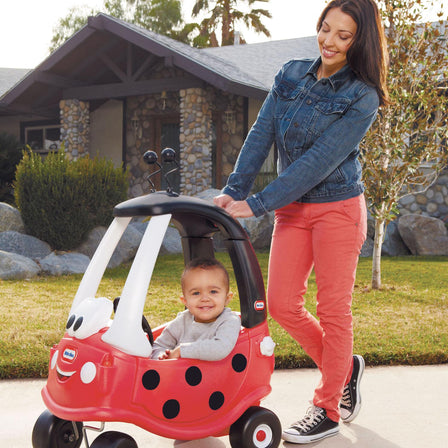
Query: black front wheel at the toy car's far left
<point x="52" y="432"/>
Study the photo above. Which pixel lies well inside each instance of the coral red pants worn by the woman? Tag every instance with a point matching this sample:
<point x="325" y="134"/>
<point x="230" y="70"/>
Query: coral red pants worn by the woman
<point x="328" y="237"/>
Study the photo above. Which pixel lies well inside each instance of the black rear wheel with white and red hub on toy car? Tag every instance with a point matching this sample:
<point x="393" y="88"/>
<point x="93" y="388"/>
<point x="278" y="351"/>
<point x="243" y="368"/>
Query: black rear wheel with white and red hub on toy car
<point x="256" y="428"/>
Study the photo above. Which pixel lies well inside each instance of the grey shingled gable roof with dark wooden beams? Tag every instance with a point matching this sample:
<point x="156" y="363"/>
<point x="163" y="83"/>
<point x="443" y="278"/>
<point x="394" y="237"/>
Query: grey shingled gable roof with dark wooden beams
<point x="112" y="58"/>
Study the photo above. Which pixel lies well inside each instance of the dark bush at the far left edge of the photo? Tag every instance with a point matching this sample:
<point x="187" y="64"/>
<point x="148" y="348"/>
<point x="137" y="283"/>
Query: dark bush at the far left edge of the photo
<point x="10" y="155"/>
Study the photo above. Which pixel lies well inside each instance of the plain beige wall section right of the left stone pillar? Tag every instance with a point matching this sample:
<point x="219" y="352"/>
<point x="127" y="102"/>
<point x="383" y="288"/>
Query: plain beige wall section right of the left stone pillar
<point x="106" y="132"/>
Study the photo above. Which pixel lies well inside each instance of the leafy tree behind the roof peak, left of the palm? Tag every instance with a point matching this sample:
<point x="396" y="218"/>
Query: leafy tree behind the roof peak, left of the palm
<point x="161" y="16"/>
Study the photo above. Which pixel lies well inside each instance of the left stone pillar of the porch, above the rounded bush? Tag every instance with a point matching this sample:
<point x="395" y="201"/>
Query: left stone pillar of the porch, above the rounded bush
<point x="75" y="127"/>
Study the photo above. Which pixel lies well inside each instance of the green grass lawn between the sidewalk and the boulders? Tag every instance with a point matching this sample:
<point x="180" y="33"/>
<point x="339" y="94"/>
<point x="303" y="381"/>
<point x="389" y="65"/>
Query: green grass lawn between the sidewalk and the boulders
<point x="404" y="323"/>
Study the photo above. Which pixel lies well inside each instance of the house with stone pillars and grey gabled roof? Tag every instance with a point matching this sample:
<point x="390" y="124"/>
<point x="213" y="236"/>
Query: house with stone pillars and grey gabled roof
<point x="115" y="90"/>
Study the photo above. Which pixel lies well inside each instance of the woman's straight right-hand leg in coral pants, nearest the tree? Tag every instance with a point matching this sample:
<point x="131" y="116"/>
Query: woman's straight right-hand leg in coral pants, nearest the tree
<point x="339" y="230"/>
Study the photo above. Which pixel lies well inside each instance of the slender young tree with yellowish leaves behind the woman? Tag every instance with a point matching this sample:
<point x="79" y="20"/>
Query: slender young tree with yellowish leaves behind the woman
<point x="406" y="146"/>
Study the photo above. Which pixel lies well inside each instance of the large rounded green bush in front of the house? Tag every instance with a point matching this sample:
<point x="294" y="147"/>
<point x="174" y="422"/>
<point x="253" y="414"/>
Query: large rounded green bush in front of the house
<point x="61" y="200"/>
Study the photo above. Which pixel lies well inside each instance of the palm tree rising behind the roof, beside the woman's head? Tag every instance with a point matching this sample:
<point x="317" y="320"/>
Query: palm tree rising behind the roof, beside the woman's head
<point x="223" y="14"/>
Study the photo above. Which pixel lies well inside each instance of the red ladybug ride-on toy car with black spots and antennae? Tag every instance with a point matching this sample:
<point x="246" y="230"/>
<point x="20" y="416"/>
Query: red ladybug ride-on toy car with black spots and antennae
<point x="101" y="370"/>
